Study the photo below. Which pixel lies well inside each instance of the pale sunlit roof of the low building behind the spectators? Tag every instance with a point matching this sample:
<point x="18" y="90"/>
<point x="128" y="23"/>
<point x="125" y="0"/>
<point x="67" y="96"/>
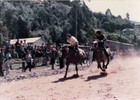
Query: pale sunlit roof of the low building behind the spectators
<point x="28" y="40"/>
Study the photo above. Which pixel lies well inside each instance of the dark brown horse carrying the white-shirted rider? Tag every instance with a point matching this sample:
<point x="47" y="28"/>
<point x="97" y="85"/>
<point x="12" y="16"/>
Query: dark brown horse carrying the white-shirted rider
<point x="72" y="57"/>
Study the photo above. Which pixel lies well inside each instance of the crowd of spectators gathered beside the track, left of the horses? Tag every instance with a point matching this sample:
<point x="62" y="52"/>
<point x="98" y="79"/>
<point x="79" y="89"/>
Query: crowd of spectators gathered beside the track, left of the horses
<point x="28" y="53"/>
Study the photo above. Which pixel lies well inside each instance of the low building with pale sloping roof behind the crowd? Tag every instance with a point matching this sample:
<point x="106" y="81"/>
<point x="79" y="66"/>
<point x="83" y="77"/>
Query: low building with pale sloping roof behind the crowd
<point x="34" y="41"/>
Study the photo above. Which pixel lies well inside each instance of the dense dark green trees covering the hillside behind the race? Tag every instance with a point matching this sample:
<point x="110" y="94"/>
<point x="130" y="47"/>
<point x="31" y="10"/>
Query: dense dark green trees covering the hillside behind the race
<point x="53" y="20"/>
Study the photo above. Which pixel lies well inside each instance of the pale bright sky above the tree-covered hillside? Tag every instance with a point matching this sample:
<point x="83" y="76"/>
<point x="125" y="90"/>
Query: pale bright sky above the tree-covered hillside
<point x="117" y="7"/>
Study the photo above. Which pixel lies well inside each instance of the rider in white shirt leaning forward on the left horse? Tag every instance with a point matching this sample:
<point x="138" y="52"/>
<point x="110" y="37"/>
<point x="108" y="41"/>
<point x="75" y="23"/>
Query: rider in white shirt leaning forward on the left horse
<point x="73" y="42"/>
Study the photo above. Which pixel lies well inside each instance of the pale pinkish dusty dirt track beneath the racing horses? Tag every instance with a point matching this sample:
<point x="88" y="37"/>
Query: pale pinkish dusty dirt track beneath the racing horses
<point x="121" y="83"/>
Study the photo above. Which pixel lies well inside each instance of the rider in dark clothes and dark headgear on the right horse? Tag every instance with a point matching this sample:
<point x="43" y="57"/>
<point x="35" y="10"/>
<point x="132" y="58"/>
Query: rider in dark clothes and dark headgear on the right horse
<point x="101" y="39"/>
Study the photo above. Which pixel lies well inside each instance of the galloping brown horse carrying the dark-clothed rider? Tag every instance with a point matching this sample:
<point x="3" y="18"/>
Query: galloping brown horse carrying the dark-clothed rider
<point x="100" y="56"/>
